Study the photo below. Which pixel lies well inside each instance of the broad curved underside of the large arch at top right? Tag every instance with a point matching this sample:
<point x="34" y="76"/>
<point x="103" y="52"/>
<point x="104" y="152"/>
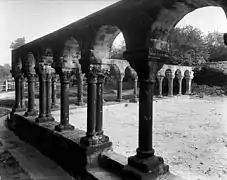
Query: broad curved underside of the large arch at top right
<point x="172" y="13"/>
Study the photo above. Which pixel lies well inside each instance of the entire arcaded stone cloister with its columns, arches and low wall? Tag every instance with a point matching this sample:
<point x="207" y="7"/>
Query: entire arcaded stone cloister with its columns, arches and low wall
<point x="83" y="49"/>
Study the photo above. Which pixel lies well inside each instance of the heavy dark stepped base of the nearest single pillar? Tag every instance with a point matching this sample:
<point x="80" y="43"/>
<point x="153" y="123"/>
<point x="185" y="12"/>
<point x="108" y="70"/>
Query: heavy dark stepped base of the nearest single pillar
<point x="144" y="168"/>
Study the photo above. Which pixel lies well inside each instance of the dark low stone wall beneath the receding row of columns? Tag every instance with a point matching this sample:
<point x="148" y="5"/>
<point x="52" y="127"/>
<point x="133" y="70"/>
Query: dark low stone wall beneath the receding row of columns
<point x="62" y="147"/>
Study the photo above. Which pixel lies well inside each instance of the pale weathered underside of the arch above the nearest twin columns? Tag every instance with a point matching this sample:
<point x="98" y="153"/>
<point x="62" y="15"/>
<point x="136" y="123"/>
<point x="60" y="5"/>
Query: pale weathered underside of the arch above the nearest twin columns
<point x="104" y="40"/>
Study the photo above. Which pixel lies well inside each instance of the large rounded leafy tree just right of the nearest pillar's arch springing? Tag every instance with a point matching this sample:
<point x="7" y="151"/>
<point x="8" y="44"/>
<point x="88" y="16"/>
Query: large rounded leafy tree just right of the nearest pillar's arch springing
<point x="187" y="46"/>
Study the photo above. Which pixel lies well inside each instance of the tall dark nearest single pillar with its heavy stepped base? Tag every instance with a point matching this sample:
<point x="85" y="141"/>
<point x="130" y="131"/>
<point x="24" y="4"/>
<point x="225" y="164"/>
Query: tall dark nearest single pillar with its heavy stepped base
<point x="145" y="165"/>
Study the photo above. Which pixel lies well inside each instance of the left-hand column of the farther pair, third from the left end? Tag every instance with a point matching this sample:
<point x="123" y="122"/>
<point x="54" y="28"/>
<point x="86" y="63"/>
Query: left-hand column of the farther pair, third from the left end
<point x="41" y="71"/>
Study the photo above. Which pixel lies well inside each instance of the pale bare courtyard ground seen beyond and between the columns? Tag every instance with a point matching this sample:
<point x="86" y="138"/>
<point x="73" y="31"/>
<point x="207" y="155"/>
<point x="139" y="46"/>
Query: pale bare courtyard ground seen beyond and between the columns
<point x="189" y="133"/>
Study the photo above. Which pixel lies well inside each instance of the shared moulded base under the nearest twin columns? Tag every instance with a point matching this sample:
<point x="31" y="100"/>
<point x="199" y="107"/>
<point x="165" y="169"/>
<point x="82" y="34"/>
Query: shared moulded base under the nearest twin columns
<point x="95" y="143"/>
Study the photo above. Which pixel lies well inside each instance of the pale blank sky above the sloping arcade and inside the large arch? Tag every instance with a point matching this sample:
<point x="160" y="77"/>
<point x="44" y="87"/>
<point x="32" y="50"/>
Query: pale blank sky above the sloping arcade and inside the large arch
<point x="35" y="18"/>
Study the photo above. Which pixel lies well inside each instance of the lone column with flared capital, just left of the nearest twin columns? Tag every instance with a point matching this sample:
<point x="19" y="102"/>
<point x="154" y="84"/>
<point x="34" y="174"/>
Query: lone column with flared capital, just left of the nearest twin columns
<point x="65" y="75"/>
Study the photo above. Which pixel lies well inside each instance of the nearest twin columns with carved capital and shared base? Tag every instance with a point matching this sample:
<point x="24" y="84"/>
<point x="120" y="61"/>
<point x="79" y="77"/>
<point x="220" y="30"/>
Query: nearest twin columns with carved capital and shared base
<point x="94" y="136"/>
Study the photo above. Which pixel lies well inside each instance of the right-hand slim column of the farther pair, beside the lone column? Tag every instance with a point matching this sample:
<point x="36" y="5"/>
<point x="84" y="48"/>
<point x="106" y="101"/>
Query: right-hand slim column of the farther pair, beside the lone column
<point x="49" y="117"/>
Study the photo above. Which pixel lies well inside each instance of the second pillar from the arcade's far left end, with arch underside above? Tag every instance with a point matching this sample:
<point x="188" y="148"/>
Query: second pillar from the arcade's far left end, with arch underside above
<point x="29" y="71"/>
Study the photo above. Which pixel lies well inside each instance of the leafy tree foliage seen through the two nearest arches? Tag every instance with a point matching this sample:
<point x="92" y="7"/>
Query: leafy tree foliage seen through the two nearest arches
<point x="189" y="46"/>
